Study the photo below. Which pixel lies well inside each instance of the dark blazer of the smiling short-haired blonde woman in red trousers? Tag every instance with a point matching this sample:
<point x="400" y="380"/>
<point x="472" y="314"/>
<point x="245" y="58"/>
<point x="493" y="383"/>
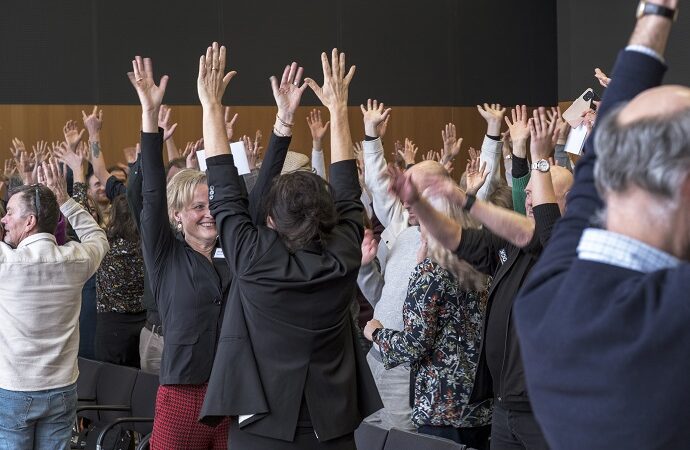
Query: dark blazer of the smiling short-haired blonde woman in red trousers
<point x="190" y="292"/>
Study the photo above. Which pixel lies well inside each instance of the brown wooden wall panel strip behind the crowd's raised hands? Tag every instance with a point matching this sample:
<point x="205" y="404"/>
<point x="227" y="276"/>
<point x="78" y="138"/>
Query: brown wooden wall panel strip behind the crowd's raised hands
<point x="122" y="123"/>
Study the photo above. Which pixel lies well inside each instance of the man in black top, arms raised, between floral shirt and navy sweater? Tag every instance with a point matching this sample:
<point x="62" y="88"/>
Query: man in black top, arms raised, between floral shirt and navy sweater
<point x="507" y="247"/>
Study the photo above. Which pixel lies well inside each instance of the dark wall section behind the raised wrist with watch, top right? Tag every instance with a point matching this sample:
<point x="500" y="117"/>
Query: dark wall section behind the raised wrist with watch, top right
<point x="590" y="34"/>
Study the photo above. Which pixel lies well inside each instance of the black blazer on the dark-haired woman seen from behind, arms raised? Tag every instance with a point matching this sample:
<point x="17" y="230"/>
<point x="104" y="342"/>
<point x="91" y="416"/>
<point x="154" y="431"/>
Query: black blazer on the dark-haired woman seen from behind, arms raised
<point x="288" y="333"/>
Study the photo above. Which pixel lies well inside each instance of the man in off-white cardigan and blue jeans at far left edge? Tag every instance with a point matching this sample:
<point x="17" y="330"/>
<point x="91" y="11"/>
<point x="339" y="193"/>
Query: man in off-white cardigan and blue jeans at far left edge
<point x="40" y="300"/>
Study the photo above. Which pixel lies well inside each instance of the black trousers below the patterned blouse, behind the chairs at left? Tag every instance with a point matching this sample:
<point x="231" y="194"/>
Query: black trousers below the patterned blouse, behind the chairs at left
<point x="117" y="337"/>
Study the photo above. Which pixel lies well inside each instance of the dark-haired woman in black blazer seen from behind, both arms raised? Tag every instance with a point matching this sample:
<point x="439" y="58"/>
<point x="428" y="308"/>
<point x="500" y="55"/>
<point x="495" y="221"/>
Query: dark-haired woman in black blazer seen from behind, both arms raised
<point x="288" y="364"/>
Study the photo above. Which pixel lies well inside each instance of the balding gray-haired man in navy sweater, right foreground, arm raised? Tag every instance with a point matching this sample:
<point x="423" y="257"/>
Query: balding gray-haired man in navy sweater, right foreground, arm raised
<point x="603" y="320"/>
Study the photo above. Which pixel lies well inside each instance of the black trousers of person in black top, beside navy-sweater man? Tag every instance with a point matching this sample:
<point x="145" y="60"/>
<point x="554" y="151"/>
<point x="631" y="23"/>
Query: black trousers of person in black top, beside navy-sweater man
<point x="515" y="430"/>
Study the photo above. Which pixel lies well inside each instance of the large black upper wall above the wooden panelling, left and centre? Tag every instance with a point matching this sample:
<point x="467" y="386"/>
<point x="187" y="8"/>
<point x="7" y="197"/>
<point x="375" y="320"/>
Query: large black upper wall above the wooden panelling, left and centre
<point x="434" y="53"/>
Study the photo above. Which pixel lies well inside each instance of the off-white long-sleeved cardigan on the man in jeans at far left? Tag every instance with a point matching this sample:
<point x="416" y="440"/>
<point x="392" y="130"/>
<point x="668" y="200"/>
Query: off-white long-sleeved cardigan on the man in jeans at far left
<point x="40" y="300"/>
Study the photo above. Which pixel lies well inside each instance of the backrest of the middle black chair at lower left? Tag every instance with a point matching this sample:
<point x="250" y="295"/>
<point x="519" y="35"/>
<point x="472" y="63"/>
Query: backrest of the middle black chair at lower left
<point x="115" y="385"/>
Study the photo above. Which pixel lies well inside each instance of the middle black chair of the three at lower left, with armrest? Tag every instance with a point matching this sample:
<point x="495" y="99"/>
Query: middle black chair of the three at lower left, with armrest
<point x="113" y="396"/>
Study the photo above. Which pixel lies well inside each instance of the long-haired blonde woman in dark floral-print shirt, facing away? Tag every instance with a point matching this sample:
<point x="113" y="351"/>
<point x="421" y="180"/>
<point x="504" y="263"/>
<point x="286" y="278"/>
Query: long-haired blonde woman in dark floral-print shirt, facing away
<point x="443" y="314"/>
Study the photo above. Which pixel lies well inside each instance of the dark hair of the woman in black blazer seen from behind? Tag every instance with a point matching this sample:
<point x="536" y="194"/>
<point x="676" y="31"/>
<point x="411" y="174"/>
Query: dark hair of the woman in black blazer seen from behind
<point x="301" y="207"/>
